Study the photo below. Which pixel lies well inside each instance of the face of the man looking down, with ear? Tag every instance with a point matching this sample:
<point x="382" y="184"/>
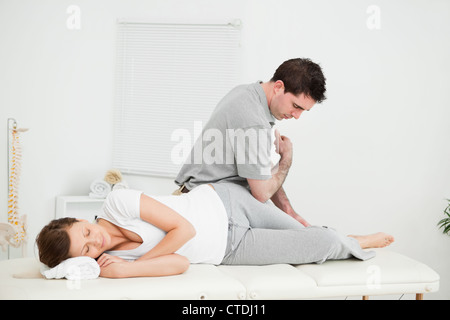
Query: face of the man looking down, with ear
<point x="287" y="105"/>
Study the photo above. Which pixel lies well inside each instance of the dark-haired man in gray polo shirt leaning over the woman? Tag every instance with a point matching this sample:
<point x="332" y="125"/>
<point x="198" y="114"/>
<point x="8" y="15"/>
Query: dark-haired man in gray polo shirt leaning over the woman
<point x="236" y="141"/>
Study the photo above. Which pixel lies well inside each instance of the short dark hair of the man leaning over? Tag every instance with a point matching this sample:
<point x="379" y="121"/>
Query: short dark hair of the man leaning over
<point x="302" y="76"/>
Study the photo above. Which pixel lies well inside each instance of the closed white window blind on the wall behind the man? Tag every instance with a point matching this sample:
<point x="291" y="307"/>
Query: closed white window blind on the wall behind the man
<point x="168" y="77"/>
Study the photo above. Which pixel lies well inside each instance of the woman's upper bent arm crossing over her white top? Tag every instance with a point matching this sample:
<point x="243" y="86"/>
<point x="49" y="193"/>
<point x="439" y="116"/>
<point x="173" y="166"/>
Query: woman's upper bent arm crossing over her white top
<point x="178" y="229"/>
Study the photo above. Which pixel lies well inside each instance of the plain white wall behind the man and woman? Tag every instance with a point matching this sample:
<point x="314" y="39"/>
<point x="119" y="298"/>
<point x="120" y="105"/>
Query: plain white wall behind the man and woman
<point x="373" y="157"/>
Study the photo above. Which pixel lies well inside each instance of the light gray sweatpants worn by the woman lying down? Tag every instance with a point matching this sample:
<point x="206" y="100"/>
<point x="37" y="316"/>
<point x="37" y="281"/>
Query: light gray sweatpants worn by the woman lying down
<point x="260" y="233"/>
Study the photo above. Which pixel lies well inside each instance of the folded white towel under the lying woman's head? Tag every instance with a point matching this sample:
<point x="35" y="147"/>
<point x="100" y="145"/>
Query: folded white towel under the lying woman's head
<point x="78" y="268"/>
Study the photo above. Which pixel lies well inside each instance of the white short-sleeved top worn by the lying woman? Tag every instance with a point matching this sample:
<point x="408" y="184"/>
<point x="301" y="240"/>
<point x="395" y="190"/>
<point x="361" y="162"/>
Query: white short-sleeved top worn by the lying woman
<point x="202" y="207"/>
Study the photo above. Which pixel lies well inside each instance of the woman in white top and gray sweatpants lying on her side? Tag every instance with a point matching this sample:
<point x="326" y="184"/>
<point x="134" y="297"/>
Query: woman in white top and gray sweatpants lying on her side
<point x="137" y="235"/>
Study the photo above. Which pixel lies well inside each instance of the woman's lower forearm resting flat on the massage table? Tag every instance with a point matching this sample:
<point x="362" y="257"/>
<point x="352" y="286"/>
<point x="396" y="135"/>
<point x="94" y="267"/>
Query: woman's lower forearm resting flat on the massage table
<point x="167" y="265"/>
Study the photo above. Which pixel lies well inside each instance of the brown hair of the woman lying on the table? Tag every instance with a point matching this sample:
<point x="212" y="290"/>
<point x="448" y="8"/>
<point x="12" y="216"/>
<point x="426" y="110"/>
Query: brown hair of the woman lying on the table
<point x="54" y="243"/>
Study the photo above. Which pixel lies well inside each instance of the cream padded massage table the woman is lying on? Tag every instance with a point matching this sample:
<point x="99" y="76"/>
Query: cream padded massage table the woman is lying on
<point x="388" y="273"/>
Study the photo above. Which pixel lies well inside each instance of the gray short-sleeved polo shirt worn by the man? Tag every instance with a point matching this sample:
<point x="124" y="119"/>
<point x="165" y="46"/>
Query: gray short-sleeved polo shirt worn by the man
<point x="235" y="143"/>
